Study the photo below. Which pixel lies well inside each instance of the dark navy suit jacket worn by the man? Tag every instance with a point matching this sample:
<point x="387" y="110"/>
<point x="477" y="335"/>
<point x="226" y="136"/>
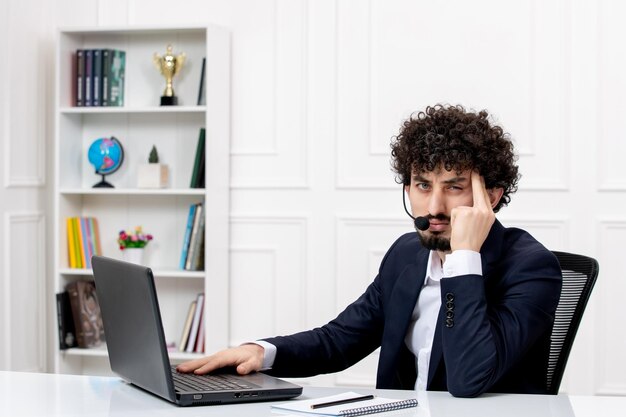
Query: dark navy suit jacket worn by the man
<point x="492" y="334"/>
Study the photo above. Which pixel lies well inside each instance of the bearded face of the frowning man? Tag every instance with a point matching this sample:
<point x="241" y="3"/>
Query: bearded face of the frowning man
<point x="433" y="195"/>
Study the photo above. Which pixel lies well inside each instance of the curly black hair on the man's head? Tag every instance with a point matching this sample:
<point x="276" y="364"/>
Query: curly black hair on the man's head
<point x="456" y="139"/>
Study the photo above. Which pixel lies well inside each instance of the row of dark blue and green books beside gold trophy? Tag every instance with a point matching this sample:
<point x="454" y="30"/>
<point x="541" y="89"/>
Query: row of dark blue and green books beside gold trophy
<point x="99" y="76"/>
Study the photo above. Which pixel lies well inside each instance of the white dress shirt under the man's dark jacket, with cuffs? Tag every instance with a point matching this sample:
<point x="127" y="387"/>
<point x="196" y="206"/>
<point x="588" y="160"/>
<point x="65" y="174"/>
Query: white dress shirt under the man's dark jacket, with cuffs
<point x="421" y="331"/>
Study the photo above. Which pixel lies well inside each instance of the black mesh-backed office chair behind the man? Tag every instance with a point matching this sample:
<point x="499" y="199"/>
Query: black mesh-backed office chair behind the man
<point x="579" y="276"/>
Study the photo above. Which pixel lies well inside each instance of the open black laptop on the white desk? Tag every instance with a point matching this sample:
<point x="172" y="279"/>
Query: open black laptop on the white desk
<point x="138" y="353"/>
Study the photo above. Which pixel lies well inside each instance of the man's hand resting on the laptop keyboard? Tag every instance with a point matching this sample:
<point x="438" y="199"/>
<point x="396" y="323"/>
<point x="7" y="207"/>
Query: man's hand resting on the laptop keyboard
<point x="246" y="358"/>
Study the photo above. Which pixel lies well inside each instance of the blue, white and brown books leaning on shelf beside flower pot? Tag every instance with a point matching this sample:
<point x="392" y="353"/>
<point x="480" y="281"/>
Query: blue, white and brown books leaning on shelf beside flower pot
<point x="192" y="255"/>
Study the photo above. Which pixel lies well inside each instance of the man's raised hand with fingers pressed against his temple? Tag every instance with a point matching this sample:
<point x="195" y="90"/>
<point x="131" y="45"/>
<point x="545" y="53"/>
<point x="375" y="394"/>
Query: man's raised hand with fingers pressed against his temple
<point x="471" y="225"/>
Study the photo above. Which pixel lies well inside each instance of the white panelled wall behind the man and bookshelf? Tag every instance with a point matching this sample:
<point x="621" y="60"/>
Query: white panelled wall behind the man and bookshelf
<point x="319" y="87"/>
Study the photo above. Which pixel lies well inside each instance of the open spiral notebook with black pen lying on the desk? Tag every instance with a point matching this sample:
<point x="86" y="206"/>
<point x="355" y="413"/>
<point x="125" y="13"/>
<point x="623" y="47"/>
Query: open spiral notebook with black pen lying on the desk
<point x="359" y="408"/>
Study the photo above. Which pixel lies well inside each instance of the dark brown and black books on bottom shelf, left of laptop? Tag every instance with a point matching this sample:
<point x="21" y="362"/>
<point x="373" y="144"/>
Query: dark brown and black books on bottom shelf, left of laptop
<point x="78" y="315"/>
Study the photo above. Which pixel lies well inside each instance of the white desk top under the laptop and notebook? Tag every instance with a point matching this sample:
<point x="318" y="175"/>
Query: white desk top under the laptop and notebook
<point x="28" y="394"/>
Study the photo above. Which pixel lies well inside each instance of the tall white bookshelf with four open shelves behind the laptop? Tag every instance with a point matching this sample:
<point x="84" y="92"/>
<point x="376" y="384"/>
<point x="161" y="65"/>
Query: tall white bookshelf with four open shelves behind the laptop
<point x="139" y="124"/>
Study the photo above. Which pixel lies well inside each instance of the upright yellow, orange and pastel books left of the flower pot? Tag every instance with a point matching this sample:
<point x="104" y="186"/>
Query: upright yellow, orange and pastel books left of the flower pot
<point x="83" y="241"/>
